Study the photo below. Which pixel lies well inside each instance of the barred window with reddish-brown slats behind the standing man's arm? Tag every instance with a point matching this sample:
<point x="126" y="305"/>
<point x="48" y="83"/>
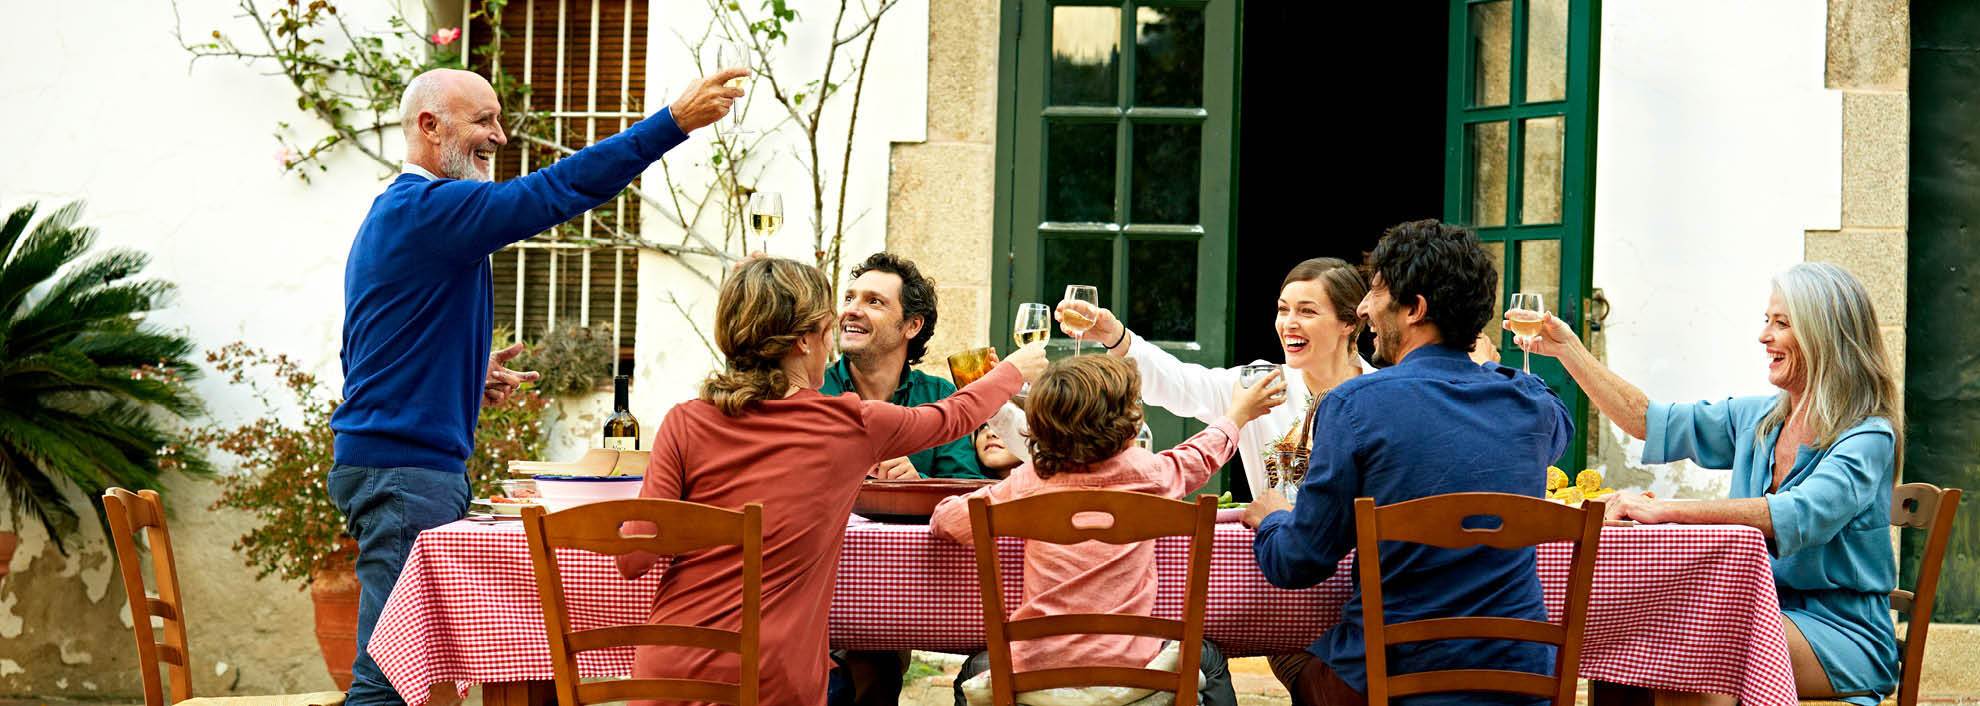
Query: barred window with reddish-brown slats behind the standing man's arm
<point x="585" y="62"/>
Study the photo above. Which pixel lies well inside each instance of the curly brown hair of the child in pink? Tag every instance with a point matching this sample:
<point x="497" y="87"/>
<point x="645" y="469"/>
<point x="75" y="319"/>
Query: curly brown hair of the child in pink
<point x="1084" y="410"/>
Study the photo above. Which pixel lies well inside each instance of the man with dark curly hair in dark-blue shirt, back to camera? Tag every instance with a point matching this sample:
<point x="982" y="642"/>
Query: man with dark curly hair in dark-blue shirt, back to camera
<point x="1431" y="424"/>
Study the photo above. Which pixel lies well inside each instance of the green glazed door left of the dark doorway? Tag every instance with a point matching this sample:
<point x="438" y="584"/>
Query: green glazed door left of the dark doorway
<point x="1116" y="132"/>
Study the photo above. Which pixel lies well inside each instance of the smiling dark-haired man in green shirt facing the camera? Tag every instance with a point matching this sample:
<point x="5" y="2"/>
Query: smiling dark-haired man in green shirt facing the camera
<point x="886" y="323"/>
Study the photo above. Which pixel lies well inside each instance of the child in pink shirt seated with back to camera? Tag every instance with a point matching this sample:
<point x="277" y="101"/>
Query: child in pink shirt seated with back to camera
<point x="1084" y="414"/>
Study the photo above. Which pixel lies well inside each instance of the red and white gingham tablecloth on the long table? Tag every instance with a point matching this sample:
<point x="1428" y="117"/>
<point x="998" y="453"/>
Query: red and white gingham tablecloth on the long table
<point x="1680" y="608"/>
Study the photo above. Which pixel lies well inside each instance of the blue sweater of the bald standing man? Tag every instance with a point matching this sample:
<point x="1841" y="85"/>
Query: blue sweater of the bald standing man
<point x="419" y="296"/>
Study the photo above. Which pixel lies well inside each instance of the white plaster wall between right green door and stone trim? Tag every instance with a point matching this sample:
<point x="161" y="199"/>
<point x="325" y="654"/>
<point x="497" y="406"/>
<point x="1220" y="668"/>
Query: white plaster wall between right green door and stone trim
<point x="1718" y="149"/>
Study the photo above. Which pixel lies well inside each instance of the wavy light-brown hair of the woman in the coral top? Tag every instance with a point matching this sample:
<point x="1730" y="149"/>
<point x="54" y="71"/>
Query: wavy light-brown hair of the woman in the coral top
<point x="759" y="317"/>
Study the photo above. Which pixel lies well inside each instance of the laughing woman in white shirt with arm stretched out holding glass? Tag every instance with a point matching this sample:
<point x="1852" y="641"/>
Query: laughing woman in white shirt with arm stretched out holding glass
<point x="1318" y="329"/>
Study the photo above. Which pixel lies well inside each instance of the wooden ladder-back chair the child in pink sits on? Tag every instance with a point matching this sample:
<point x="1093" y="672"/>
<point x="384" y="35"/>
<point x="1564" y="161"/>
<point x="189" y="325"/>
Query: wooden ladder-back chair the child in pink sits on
<point x="1138" y="517"/>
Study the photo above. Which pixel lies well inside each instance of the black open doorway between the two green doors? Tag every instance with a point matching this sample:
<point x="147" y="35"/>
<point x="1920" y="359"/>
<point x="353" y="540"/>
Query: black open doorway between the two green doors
<point x="1341" y="135"/>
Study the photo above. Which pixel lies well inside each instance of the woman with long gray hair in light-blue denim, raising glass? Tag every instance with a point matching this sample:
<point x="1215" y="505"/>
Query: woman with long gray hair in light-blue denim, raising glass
<point x="1813" y="470"/>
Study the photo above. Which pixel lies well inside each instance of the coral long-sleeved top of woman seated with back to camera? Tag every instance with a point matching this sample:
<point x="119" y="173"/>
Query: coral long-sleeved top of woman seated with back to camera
<point x="803" y="458"/>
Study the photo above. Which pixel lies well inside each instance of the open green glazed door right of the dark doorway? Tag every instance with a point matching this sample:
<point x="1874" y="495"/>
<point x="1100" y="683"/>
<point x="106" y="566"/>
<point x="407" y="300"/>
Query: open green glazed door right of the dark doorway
<point x="1520" y="159"/>
